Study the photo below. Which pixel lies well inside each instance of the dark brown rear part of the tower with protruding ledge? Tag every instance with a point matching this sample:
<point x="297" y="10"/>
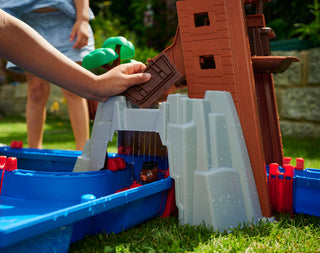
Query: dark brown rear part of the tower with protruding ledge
<point x="263" y="65"/>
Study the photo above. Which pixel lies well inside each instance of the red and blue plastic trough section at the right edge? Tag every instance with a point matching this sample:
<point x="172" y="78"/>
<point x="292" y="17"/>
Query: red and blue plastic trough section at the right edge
<point x="294" y="189"/>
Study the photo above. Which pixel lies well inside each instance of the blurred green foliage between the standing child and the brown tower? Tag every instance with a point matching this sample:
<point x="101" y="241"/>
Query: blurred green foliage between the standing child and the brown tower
<point x="126" y="18"/>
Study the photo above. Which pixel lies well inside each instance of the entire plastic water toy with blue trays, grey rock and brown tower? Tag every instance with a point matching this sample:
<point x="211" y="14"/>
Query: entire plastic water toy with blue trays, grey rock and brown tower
<point x="214" y="156"/>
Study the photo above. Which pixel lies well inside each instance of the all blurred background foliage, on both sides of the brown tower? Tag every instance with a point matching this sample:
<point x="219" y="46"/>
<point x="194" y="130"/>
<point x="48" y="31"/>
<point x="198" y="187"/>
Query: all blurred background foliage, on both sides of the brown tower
<point x="126" y="18"/>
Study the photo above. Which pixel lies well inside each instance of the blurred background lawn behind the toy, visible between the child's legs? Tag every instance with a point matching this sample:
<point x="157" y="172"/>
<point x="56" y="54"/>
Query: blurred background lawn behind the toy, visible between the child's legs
<point x="58" y="135"/>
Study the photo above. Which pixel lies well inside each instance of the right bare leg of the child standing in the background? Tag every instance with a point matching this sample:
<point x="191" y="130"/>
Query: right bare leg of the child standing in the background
<point x="79" y="117"/>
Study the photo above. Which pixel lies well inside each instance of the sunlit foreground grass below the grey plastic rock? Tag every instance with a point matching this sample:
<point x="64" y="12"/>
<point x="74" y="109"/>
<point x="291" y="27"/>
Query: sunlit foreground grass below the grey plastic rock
<point x="300" y="234"/>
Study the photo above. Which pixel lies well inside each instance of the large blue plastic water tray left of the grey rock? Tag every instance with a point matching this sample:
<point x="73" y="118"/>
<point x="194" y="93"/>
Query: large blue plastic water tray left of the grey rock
<point x="45" y="211"/>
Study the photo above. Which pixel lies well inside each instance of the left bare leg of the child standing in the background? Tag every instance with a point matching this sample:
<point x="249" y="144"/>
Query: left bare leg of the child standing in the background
<point x="38" y="94"/>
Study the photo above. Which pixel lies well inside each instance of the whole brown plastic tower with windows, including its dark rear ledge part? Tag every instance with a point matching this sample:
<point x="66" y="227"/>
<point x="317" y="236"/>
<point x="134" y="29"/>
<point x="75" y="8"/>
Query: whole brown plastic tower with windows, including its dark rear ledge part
<point x="213" y="51"/>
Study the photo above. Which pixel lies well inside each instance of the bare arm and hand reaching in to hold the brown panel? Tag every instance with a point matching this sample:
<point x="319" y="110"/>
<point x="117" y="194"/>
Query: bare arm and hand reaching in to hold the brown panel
<point x="20" y="44"/>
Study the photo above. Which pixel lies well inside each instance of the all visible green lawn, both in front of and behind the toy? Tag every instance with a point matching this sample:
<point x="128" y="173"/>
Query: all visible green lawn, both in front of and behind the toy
<point x="298" y="234"/>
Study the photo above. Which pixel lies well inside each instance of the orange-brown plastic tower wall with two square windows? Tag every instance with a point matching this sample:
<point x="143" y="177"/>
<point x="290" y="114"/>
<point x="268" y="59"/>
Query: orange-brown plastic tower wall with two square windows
<point x="225" y="38"/>
